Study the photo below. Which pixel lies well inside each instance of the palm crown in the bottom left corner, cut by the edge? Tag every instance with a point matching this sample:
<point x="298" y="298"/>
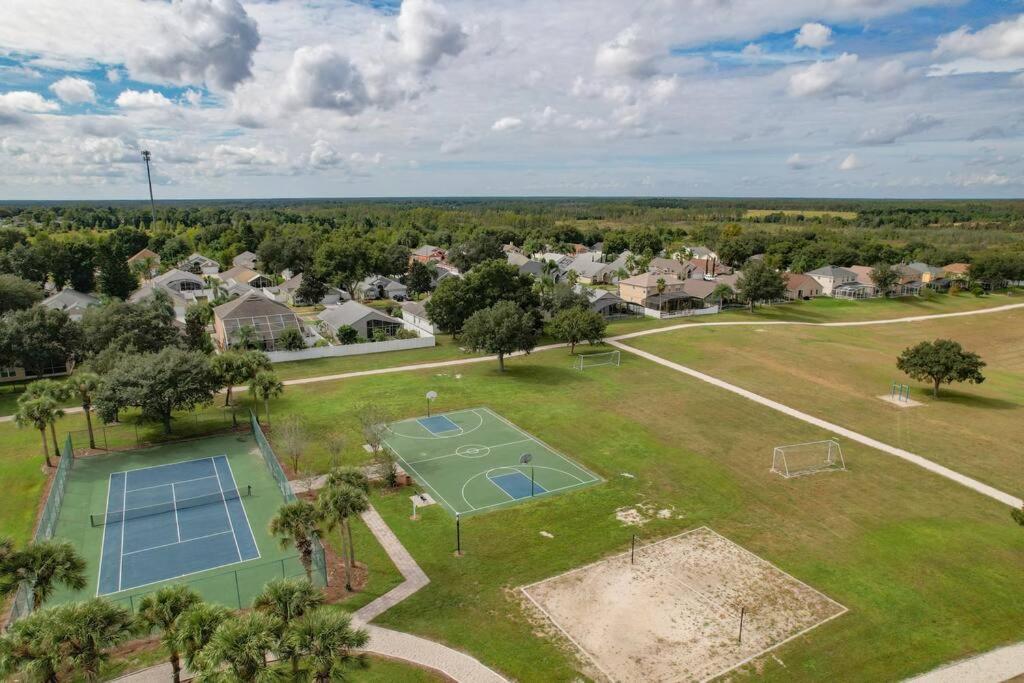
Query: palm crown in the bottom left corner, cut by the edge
<point x="30" y="648"/>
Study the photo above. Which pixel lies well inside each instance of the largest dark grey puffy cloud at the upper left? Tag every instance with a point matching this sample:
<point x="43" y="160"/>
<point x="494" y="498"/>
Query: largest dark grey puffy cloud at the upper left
<point x="208" y="42"/>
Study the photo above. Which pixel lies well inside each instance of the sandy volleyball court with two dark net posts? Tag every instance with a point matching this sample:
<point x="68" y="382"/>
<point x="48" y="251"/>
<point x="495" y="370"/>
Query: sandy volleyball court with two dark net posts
<point x="674" y="615"/>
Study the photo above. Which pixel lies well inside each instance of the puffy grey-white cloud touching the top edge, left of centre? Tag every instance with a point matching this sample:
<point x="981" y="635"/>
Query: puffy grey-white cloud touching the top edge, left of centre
<point x="426" y="34"/>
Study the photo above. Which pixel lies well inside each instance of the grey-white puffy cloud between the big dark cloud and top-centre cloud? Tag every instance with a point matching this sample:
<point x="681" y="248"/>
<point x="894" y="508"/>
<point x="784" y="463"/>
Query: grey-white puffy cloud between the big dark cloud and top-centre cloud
<point x="322" y="78"/>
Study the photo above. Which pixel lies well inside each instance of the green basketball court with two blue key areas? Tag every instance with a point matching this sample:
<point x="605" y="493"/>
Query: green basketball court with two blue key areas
<point x="475" y="460"/>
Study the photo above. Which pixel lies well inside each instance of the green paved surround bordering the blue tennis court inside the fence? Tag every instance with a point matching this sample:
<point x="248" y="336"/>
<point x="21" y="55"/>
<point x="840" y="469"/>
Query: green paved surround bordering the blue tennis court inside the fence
<point x="234" y="585"/>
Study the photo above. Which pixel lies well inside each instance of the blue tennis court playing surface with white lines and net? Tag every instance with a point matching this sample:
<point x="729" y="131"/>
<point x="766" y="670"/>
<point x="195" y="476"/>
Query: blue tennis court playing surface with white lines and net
<point x="172" y="521"/>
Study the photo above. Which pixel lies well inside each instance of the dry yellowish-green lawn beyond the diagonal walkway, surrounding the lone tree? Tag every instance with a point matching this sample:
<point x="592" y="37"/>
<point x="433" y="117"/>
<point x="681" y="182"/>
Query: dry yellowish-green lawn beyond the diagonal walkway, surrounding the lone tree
<point x="838" y="373"/>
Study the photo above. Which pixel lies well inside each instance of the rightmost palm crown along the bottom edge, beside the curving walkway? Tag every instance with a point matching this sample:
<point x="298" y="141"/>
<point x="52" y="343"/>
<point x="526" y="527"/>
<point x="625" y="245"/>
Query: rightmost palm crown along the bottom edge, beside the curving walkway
<point x="326" y="638"/>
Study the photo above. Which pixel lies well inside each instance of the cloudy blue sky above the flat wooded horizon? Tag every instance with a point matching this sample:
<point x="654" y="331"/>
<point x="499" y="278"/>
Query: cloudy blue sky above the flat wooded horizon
<point x="889" y="99"/>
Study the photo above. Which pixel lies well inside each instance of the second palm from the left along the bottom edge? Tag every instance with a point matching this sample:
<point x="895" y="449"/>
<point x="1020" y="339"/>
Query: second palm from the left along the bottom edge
<point x="89" y="630"/>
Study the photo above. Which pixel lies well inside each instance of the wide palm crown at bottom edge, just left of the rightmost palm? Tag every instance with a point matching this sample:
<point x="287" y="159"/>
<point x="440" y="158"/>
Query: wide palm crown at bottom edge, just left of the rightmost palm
<point x="239" y="649"/>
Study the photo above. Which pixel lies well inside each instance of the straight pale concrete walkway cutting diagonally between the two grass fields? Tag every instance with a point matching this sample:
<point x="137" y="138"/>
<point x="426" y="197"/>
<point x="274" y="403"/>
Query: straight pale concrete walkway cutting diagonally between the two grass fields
<point x="962" y="480"/>
